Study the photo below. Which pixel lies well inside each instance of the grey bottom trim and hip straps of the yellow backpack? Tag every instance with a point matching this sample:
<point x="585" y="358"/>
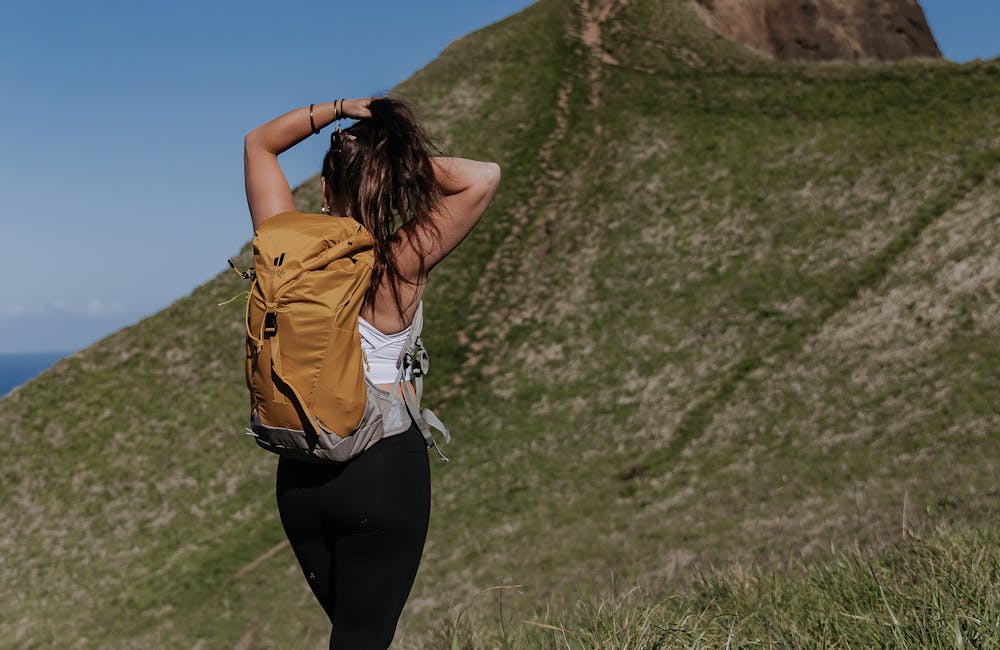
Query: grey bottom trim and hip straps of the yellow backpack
<point x="385" y="415"/>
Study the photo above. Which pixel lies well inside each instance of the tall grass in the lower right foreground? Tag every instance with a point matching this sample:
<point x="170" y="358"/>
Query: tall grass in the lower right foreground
<point x="938" y="592"/>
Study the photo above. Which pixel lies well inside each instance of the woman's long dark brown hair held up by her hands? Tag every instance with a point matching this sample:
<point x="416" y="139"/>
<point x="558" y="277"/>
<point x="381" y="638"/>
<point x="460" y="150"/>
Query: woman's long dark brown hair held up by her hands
<point x="385" y="180"/>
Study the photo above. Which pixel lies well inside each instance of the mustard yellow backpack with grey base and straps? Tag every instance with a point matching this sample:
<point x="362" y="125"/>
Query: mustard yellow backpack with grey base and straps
<point x="309" y="397"/>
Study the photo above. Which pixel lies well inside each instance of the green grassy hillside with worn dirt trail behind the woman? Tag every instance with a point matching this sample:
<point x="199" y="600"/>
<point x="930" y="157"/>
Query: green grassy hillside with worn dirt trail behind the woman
<point x="724" y="311"/>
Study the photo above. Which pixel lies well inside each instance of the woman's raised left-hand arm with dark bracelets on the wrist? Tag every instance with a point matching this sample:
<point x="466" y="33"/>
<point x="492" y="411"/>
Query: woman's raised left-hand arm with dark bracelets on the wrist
<point x="267" y="188"/>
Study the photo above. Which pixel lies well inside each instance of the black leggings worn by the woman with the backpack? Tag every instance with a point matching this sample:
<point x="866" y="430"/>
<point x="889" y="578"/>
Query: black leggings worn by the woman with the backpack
<point x="358" y="530"/>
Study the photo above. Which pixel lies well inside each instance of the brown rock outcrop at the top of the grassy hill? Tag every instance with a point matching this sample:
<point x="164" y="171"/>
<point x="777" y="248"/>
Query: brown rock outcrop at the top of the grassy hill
<point x="824" y="30"/>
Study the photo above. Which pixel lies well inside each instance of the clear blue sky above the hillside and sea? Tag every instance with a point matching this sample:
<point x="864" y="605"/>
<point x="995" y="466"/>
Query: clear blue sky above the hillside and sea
<point x="121" y="126"/>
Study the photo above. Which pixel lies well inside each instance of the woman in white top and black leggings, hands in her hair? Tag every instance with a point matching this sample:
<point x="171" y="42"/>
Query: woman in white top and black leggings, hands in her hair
<point x="358" y="528"/>
